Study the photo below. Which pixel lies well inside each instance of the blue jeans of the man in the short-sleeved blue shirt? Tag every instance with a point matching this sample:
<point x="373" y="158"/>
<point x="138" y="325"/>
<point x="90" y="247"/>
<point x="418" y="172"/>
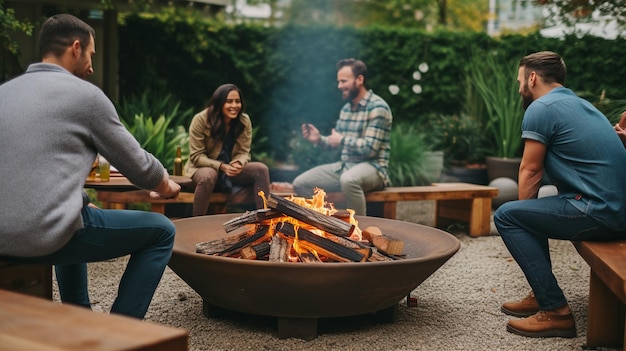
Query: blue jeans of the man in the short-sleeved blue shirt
<point x="525" y="227"/>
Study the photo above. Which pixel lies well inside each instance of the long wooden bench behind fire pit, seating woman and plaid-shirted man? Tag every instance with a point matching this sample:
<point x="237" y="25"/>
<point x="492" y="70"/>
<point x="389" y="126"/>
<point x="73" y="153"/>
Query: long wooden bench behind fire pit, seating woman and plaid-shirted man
<point x="464" y="202"/>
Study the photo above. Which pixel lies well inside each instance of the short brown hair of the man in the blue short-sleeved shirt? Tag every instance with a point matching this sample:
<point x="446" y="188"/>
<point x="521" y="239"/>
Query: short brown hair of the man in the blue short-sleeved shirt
<point x="547" y="64"/>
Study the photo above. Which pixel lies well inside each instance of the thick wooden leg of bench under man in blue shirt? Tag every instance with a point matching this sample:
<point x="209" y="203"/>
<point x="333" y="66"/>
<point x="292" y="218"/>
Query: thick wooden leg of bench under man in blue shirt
<point x="605" y="316"/>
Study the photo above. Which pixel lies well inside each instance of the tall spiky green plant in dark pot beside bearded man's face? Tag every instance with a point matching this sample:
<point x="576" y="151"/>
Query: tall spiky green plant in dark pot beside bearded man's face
<point x="494" y="80"/>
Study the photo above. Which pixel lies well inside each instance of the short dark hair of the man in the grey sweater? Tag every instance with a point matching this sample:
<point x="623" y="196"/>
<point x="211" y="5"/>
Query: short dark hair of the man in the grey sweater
<point x="59" y="31"/>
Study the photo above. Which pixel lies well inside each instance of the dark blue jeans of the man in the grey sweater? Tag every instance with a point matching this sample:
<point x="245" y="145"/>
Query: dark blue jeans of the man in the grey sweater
<point x="146" y="236"/>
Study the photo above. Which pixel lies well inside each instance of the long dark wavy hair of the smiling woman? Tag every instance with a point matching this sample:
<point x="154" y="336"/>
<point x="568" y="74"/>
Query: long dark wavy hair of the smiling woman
<point x="215" y="116"/>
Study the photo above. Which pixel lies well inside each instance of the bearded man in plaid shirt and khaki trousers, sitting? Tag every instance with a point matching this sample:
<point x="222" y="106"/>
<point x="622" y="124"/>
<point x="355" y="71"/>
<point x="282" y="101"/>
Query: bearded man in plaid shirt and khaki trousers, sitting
<point x="362" y="133"/>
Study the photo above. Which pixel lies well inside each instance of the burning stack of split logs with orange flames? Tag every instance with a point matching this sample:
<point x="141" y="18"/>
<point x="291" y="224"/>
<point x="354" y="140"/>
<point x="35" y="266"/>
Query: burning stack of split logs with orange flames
<point x="295" y="229"/>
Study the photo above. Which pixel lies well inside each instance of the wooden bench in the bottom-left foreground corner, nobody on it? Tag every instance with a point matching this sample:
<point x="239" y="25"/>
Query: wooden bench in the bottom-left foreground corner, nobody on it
<point x="30" y="323"/>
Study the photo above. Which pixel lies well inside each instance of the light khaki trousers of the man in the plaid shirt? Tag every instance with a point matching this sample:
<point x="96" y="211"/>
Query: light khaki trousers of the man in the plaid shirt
<point x="353" y="179"/>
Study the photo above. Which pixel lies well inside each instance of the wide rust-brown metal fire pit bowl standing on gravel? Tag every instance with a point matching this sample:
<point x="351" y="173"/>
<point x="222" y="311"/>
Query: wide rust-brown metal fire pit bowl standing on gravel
<point x="300" y="293"/>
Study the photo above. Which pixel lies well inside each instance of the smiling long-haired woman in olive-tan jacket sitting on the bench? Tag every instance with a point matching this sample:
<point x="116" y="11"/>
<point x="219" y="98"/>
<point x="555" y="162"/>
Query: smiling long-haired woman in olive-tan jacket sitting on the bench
<point x="219" y="153"/>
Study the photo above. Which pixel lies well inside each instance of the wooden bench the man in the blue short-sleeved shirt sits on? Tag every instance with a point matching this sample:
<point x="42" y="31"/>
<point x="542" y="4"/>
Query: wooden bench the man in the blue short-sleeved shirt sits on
<point x="607" y="292"/>
